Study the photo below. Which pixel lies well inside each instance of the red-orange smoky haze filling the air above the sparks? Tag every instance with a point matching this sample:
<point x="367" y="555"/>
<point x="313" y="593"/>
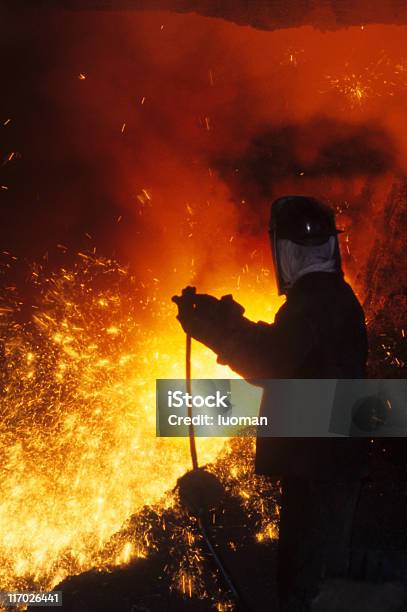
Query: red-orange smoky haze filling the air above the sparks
<point x="161" y="138"/>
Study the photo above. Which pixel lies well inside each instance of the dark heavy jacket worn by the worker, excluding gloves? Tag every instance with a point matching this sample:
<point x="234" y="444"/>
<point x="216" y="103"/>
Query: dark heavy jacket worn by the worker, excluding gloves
<point x="319" y="332"/>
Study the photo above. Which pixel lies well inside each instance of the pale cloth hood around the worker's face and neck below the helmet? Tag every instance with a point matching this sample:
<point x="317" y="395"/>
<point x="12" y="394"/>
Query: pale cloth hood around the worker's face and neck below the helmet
<point x="296" y="260"/>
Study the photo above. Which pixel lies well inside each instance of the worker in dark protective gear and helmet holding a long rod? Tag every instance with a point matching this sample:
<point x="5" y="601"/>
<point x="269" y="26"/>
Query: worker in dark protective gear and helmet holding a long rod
<point x="318" y="333"/>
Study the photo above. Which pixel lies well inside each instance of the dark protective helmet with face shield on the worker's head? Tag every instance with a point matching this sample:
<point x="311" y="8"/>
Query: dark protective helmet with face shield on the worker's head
<point x="305" y="221"/>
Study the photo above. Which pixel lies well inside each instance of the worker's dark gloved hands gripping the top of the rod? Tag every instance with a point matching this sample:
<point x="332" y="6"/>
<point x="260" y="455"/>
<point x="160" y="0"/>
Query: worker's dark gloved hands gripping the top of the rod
<point x="206" y="318"/>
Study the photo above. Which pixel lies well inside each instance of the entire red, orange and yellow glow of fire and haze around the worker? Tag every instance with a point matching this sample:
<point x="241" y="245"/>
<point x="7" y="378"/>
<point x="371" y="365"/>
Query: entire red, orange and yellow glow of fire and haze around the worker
<point x="168" y="114"/>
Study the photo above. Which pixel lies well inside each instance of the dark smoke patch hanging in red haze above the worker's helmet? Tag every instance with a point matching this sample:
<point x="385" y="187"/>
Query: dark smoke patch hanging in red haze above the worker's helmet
<point x="318" y="149"/>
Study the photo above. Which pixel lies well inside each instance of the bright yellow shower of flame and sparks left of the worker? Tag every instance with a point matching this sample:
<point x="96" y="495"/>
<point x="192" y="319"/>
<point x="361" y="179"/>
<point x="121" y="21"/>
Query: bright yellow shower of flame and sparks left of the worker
<point x="78" y="444"/>
